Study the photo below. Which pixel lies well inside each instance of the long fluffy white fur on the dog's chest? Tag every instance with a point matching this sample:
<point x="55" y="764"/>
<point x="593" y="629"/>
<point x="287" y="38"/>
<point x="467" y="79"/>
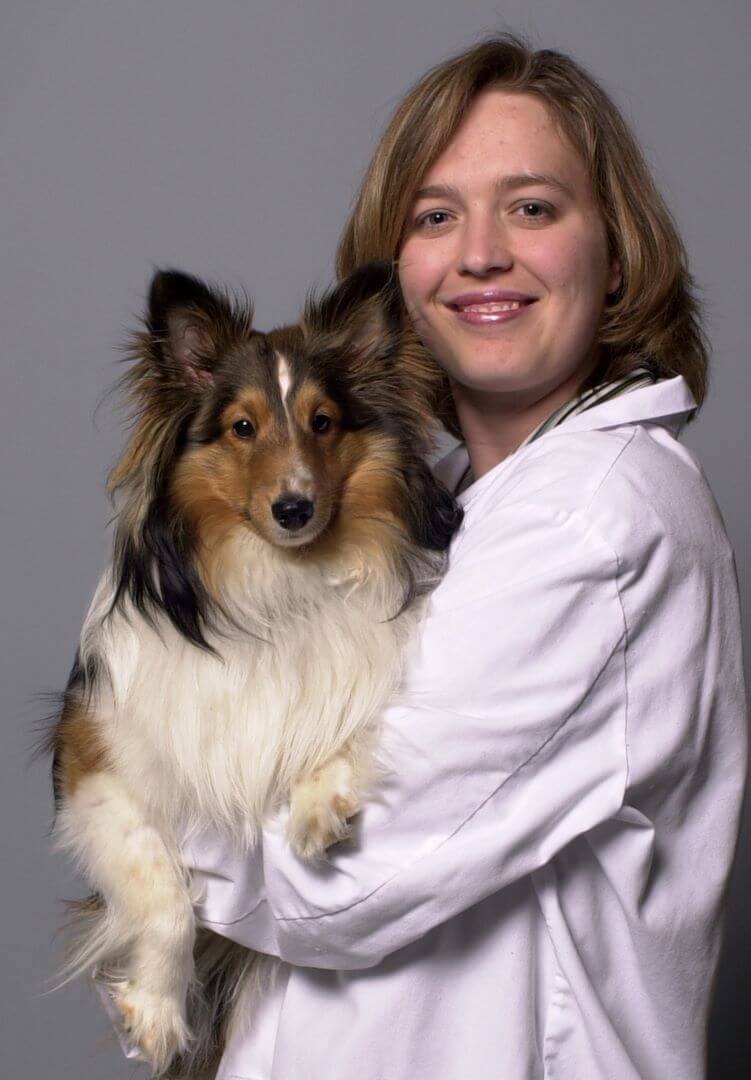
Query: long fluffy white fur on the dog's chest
<point x="302" y="667"/>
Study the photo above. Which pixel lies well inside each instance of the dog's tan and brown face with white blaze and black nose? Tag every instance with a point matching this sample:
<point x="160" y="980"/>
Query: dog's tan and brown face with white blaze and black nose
<point x="257" y="457"/>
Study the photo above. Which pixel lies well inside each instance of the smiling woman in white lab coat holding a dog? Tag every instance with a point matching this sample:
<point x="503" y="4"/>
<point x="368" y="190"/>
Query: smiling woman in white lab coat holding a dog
<point x="538" y="893"/>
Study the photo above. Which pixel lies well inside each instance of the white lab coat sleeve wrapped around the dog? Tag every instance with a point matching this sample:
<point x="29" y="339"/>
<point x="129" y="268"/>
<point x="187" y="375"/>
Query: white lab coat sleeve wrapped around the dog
<point x="509" y="741"/>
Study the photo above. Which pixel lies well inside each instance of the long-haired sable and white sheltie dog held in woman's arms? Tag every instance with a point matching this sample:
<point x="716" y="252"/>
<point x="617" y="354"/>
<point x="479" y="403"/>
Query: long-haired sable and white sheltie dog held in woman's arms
<point x="277" y="529"/>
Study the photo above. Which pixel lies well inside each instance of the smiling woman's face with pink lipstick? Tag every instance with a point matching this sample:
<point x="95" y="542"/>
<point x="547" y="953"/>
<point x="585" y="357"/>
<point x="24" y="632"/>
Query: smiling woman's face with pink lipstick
<point x="504" y="265"/>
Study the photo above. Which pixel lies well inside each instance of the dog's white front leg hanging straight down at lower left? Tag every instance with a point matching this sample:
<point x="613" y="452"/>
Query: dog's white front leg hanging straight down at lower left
<point x="147" y="929"/>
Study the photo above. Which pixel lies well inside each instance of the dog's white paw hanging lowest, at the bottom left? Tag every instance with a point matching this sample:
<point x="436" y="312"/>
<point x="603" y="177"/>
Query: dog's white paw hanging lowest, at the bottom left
<point x="155" y="1023"/>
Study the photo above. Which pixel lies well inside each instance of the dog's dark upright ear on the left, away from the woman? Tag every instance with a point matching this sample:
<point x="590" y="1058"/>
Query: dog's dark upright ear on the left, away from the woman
<point x="189" y="327"/>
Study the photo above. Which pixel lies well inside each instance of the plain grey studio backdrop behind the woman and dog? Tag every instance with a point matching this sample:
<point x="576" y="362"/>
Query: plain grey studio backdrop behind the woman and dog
<point x="229" y="140"/>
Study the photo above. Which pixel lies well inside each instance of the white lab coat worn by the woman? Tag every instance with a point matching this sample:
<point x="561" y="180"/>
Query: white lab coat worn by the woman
<point x="538" y="892"/>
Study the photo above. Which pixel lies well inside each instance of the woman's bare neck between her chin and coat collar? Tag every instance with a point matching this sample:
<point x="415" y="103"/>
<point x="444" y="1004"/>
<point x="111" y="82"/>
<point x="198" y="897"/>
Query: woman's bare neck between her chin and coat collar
<point x="494" y="424"/>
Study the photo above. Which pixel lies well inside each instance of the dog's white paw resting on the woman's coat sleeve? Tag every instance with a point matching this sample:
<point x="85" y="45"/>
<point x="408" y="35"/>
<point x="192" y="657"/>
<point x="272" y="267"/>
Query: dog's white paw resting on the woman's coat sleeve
<point x="320" y="807"/>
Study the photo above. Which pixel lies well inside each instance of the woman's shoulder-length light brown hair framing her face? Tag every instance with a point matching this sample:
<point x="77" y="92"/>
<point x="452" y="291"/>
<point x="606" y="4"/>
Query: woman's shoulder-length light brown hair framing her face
<point x="653" y="320"/>
